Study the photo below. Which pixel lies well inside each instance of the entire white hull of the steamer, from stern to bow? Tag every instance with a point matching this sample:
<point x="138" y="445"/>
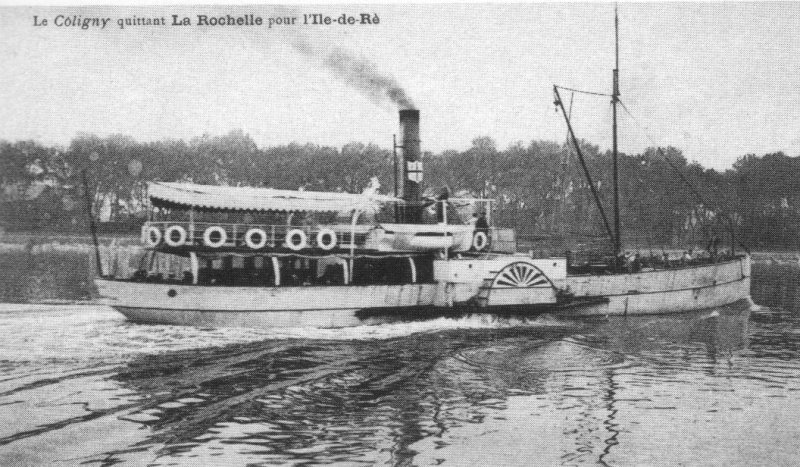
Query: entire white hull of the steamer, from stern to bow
<point x="643" y="293"/>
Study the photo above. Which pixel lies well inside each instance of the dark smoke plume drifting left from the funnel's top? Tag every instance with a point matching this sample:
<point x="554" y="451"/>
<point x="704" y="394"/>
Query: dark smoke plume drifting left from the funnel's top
<point x="358" y="73"/>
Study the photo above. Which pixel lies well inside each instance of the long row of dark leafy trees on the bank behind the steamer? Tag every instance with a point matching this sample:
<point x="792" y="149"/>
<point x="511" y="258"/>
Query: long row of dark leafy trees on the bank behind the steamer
<point x="540" y="189"/>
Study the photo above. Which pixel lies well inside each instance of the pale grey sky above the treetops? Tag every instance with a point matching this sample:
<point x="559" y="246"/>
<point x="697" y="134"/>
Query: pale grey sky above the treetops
<point x="716" y="80"/>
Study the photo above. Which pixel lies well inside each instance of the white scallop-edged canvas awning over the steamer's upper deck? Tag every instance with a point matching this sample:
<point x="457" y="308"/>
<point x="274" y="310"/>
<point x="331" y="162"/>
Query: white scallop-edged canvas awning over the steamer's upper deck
<point x="261" y="199"/>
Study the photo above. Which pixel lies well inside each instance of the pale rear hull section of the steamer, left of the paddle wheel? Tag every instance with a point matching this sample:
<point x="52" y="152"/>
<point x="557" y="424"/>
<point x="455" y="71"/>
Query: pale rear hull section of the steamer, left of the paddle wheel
<point x="212" y="306"/>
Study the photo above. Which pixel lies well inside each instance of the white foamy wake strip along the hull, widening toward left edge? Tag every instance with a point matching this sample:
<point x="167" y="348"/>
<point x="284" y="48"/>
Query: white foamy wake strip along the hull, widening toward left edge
<point x="91" y="332"/>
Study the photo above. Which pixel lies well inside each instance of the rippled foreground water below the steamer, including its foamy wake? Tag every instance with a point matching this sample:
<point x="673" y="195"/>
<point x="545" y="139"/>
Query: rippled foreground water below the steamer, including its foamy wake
<point x="711" y="388"/>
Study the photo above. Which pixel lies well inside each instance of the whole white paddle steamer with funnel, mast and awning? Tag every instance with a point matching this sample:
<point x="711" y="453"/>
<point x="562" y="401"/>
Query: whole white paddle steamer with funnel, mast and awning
<point x="278" y="258"/>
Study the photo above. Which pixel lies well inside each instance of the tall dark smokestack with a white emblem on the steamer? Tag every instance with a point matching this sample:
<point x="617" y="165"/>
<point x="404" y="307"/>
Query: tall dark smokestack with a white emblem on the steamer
<point x="412" y="165"/>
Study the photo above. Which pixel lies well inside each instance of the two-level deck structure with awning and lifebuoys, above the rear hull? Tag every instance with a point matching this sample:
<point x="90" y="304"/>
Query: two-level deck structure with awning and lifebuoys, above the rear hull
<point x="212" y="235"/>
